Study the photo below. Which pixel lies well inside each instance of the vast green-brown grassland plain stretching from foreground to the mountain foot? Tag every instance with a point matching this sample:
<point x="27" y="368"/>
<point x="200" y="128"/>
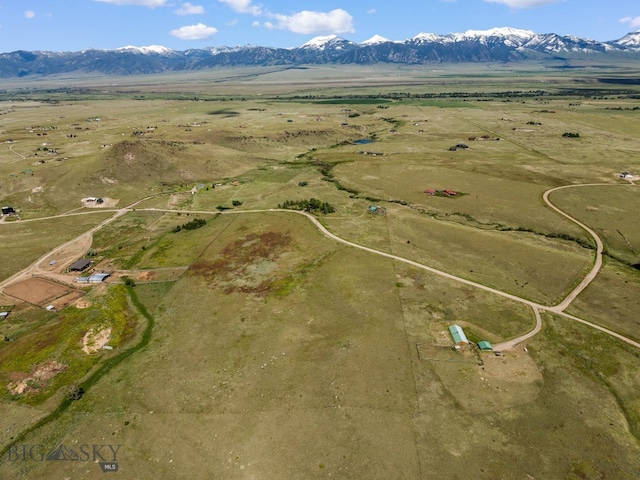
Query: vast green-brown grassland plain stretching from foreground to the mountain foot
<point x="243" y="341"/>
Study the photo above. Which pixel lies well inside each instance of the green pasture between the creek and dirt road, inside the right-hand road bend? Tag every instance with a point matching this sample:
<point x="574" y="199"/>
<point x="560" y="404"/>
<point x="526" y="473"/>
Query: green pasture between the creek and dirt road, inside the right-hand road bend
<point x="524" y="264"/>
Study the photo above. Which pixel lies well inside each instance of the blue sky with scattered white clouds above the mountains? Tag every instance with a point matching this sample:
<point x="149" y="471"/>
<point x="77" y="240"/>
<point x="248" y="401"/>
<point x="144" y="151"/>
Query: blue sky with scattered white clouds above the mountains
<point x="72" y="25"/>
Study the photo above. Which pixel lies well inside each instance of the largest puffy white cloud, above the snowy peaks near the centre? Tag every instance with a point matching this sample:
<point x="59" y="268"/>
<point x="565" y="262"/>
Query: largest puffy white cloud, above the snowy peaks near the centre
<point x="307" y="22"/>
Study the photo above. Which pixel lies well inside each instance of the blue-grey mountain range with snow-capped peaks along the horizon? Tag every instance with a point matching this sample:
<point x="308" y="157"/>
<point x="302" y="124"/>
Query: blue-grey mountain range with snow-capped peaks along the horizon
<point x="495" y="45"/>
